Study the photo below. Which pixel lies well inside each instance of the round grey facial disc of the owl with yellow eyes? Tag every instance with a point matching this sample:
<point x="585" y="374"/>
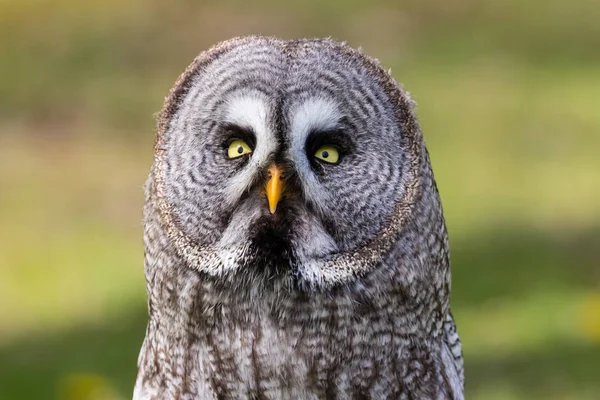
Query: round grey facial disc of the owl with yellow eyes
<point x="282" y="160"/>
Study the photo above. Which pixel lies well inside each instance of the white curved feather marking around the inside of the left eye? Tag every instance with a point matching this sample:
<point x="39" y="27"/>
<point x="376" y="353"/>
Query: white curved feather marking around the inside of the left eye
<point x="250" y="110"/>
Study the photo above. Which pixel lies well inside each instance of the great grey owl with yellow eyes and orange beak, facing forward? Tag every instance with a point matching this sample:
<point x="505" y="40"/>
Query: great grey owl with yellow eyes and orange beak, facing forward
<point x="295" y="246"/>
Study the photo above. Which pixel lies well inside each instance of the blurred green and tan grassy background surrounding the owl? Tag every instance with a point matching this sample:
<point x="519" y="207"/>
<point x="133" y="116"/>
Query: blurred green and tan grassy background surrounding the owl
<point x="508" y="96"/>
